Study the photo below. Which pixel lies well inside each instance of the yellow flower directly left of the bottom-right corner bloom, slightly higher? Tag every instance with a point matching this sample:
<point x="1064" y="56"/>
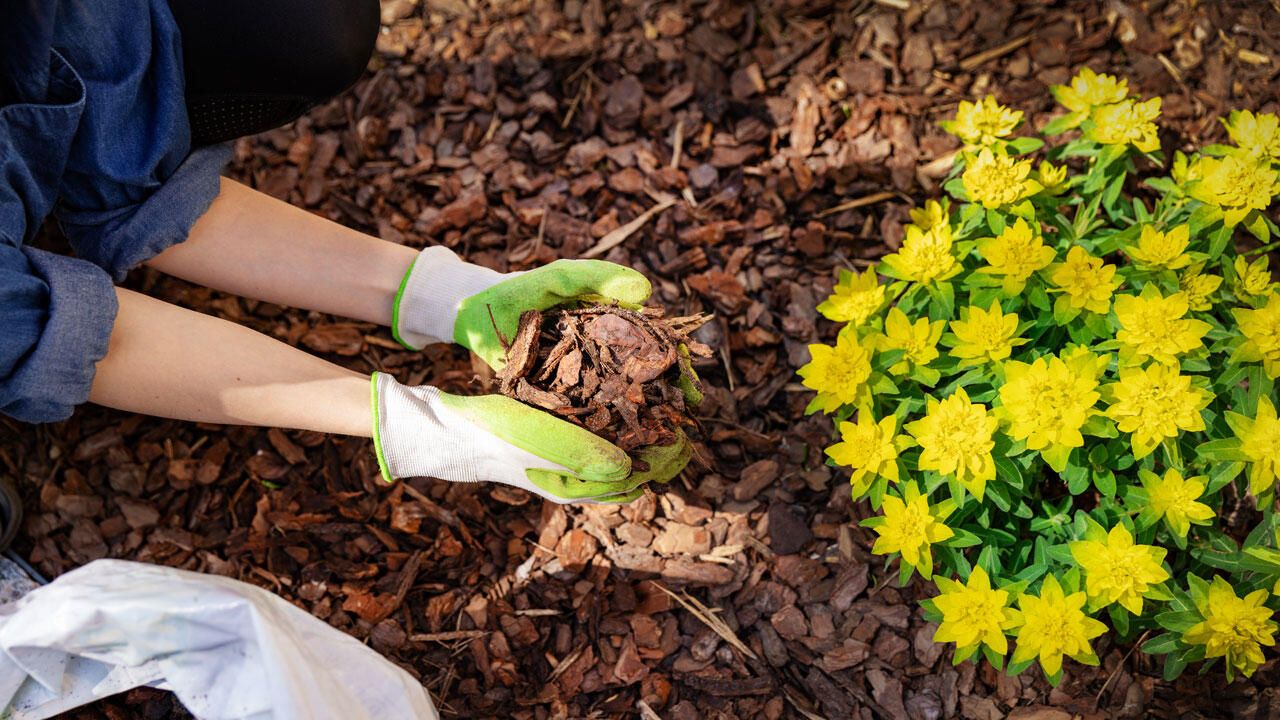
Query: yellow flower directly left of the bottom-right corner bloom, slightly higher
<point x="1118" y="571"/>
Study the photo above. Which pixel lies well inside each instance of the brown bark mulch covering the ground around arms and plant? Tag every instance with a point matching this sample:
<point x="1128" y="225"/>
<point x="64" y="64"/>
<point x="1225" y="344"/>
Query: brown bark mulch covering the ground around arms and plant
<point x="525" y="131"/>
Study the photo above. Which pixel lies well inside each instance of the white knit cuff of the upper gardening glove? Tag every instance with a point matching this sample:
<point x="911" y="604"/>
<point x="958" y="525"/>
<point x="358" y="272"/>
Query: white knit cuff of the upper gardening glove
<point x="427" y="306"/>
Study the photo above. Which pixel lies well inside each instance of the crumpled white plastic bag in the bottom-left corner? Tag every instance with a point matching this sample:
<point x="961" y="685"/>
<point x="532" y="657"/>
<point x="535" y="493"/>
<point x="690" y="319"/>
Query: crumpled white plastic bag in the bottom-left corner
<point x="226" y="649"/>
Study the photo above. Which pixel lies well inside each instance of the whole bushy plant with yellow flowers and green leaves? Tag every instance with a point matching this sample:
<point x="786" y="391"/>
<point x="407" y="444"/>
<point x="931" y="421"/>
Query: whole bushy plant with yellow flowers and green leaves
<point x="1059" y="395"/>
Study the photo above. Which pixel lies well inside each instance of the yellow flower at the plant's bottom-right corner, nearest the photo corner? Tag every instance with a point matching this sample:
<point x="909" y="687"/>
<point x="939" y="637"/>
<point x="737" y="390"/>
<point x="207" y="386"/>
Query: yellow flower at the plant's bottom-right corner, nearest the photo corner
<point x="1233" y="628"/>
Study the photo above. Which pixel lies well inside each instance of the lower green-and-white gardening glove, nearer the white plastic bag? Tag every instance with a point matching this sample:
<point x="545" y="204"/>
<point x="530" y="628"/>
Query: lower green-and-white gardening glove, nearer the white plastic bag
<point x="424" y="432"/>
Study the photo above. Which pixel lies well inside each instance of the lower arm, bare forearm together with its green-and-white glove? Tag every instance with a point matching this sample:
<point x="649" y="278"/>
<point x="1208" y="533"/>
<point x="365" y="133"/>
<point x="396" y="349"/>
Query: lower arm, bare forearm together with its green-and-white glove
<point x="175" y="363"/>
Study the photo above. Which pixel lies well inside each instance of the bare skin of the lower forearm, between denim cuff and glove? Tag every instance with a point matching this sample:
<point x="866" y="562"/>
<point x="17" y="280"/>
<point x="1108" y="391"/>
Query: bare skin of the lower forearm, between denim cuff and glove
<point x="175" y="363"/>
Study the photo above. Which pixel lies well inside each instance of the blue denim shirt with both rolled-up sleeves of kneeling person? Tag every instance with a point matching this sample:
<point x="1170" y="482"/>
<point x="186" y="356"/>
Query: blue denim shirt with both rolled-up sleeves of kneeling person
<point x="94" y="131"/>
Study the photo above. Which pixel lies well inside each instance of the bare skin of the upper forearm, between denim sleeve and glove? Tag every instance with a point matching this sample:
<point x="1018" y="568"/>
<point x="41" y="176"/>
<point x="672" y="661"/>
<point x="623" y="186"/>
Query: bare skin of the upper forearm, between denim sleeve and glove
<point x="253" y="245"/>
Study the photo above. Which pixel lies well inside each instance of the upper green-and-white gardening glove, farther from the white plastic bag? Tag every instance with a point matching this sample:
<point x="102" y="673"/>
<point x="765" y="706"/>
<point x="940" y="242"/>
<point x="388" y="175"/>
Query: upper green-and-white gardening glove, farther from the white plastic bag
<point x="444" y="299"/>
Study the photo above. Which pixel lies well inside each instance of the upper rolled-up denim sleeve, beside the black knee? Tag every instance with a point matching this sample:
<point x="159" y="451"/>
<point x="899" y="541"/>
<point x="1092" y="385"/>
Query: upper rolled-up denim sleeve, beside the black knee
<point x="132" y="186"/>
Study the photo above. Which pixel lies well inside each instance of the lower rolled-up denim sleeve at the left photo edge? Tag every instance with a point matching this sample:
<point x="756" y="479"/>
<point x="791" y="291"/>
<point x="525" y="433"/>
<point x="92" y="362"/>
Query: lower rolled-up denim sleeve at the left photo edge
<point x="57" y="315"/>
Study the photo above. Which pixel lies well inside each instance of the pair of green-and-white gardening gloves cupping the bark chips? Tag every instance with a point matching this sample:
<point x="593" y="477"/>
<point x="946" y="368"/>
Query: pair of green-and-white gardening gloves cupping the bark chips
<point x="420" y="431"/>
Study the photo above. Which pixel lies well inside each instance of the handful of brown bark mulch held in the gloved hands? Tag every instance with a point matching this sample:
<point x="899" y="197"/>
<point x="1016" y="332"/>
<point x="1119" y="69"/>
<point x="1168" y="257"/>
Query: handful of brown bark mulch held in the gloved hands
<point x="625" y="375"/>
